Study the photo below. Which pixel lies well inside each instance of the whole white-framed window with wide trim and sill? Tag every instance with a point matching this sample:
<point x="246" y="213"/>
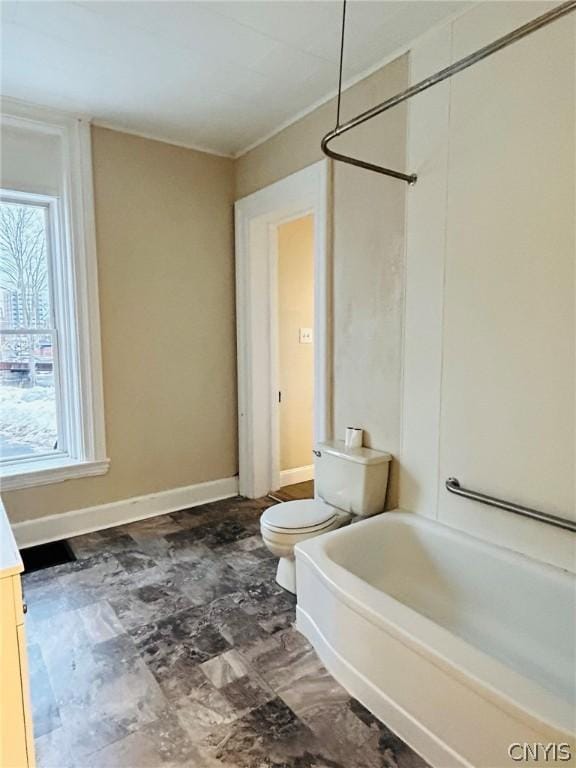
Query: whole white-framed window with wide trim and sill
<point x="51" y="409"/>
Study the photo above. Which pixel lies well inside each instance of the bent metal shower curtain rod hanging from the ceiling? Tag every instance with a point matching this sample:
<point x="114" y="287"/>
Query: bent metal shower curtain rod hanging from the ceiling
<point x="547" y="18"/>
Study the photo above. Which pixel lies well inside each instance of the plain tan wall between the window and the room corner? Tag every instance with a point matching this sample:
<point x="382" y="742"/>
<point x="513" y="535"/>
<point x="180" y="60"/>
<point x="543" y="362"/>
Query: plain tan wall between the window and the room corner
<point x="166" y="272"/>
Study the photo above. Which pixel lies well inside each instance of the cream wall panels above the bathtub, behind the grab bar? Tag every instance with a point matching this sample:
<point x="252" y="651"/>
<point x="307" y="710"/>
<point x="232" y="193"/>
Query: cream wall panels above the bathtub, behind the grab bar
<point x="489" y="390"/>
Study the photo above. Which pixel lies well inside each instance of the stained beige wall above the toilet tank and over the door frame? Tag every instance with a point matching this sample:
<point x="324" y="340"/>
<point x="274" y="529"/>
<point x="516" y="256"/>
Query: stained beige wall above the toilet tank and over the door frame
<point x="367" y="254"/>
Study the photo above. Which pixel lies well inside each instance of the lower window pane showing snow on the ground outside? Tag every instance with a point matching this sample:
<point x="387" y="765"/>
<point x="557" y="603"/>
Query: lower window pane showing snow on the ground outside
<point x="28" y="424"/>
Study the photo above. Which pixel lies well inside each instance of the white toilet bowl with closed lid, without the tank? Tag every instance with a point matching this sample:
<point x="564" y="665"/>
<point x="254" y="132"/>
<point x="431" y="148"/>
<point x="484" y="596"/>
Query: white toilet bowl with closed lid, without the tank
<point x="284" y="525"/>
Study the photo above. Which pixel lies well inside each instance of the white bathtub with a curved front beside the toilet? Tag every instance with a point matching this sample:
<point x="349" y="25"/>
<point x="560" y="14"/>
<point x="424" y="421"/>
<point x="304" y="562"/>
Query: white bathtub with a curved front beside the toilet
<point x="465" y="649"/>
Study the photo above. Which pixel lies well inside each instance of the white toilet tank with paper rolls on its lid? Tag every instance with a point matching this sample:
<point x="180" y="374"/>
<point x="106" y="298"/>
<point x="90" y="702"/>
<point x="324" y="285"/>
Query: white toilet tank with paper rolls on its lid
<point x="351" y="479"/>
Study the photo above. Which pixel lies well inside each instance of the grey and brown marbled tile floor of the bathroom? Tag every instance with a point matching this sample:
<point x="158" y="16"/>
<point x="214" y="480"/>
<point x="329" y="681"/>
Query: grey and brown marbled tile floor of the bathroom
<point x="169" y="644"/>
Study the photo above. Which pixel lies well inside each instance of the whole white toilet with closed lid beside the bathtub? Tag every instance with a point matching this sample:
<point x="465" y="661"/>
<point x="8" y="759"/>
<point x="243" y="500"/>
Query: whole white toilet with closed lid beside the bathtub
<point x="350" y="483"/>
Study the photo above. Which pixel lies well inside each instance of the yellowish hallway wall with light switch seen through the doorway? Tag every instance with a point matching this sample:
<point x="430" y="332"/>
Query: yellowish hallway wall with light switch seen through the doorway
<point x="296" y="361"/>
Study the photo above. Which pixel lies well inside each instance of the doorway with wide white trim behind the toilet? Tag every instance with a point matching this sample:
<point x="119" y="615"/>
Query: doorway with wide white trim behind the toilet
<point x="279" y="422"/>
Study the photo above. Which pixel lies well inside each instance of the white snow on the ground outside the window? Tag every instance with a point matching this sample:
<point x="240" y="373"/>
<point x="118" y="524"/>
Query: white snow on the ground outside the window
<point x="28" y="416"/>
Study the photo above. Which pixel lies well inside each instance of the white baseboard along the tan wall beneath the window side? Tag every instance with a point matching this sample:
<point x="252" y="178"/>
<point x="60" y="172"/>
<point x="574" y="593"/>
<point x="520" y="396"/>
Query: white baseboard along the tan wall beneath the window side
<point x="28" y="533"/>
